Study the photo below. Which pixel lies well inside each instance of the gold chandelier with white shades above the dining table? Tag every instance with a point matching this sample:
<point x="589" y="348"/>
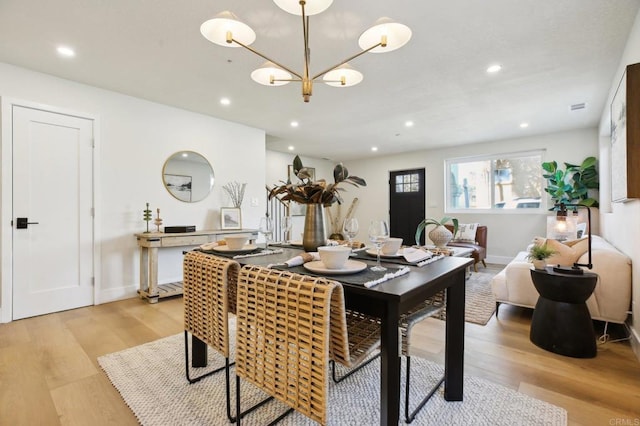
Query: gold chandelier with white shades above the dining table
<point x="226" y="30"/>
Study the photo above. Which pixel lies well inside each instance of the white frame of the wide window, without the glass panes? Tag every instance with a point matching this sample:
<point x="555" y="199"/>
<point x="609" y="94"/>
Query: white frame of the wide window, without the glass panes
<point x="542" y="209"/>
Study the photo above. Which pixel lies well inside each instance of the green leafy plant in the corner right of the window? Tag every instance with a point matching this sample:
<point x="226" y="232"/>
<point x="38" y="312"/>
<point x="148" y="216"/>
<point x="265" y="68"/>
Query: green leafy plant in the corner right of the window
<point x="572" y="185"/>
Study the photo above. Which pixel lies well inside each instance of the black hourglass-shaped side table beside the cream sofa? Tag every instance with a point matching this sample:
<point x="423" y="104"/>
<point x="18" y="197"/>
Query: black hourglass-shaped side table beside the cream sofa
<point x="561" y="321"/>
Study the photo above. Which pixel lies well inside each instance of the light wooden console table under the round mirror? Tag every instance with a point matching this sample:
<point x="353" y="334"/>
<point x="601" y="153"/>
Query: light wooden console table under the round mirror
<point x="150" y="242"/>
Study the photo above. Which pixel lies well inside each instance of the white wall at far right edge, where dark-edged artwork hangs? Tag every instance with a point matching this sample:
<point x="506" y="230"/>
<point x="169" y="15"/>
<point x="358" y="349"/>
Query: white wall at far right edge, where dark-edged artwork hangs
<point x="620" y="221"/>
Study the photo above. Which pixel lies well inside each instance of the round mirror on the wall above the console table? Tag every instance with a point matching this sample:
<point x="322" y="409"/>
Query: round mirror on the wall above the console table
<point x="188" y="176"/>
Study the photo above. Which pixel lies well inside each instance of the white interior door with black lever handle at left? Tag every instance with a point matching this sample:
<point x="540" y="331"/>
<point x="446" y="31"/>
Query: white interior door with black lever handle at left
<point x="53" y="192"/>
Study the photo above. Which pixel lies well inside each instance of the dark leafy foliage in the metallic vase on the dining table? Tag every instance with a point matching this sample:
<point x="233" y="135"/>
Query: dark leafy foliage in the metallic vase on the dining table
<point x="307" y="191"/>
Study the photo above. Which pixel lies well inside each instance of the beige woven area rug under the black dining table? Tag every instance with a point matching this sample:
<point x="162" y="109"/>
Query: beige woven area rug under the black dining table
<point x="152" y="382"/>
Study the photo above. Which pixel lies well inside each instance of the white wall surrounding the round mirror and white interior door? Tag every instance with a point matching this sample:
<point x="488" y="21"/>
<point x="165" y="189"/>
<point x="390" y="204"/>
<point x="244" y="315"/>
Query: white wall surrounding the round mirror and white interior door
<point x="134" y="140"/>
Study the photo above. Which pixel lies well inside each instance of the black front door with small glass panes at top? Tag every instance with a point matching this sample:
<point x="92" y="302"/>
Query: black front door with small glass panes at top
<point x="406" y="203"/>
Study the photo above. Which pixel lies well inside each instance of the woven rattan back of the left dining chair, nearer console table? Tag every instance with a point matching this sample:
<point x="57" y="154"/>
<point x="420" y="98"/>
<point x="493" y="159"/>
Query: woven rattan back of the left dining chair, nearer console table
<point x="209" y="287"/>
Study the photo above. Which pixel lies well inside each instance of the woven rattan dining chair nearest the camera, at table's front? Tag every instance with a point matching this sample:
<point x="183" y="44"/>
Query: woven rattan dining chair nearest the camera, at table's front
<point x="288" y="328"/>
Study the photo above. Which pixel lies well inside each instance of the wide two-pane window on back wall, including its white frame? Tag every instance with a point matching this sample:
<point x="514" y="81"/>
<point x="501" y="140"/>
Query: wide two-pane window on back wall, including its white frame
<point x="503" y="181"/>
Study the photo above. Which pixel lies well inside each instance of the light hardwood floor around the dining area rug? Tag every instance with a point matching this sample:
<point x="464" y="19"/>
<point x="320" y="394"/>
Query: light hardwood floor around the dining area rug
<point x="49" y="374"/>
